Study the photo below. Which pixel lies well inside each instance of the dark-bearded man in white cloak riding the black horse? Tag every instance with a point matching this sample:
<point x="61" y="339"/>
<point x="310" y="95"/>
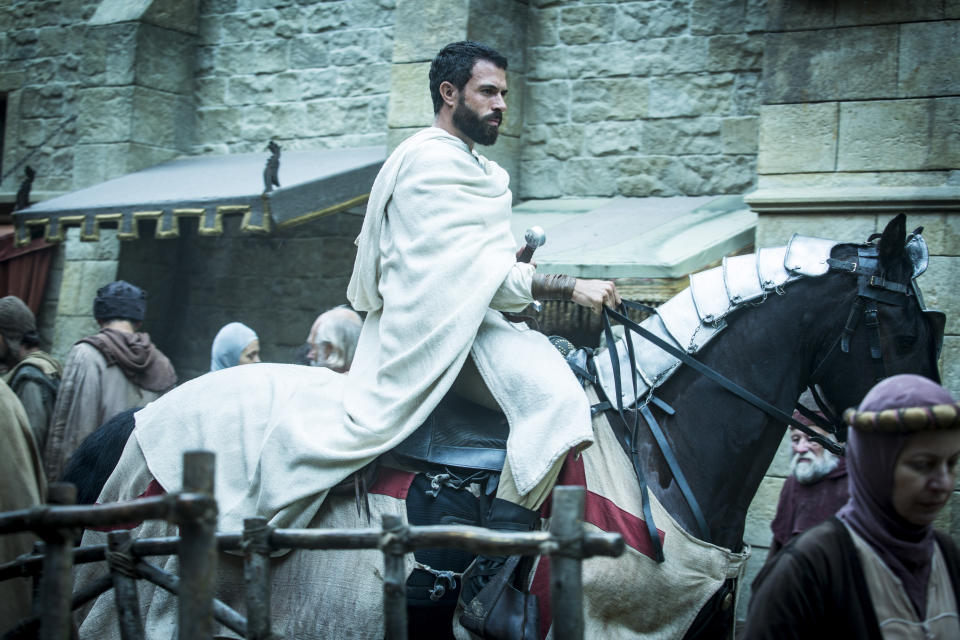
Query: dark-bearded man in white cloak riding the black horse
<point x="435" y="269"/>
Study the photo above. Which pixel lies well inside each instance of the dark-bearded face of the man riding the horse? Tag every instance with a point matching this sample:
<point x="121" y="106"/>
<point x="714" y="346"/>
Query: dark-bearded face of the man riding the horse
<point x="479" y="111"/>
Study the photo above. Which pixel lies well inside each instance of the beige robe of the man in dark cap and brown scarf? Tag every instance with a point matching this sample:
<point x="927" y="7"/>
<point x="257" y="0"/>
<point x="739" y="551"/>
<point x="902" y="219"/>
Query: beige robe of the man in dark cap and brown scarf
<point x="90" y="394"/>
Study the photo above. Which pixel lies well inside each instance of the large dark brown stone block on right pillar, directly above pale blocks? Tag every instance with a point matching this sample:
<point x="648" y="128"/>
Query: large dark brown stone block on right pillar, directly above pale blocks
<point x="807" y="66"/>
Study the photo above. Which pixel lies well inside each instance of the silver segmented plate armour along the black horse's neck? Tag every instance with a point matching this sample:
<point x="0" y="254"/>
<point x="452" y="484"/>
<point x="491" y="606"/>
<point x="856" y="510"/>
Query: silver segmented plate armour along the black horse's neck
<point x="691" y="319"/>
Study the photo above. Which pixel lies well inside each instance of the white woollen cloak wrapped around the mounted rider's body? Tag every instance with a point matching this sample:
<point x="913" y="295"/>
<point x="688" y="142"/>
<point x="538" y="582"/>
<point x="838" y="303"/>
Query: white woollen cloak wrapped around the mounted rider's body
<point x="435" y="266"/>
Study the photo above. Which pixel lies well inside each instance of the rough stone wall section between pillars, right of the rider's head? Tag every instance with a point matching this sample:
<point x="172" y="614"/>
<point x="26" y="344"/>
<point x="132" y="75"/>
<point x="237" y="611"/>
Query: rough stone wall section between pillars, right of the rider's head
<point x="641" y="98"/>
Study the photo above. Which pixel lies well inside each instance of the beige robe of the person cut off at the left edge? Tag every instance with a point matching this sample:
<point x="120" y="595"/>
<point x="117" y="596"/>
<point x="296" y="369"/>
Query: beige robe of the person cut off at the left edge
<point x="22" y="486"/>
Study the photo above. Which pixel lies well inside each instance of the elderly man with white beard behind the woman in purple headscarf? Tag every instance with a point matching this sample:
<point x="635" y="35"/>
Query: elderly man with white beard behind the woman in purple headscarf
<point x="815" y="489"/>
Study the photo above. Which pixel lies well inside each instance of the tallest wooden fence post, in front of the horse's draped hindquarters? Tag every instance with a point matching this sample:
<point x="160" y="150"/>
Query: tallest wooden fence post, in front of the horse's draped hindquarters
<point x="198" y="548"/>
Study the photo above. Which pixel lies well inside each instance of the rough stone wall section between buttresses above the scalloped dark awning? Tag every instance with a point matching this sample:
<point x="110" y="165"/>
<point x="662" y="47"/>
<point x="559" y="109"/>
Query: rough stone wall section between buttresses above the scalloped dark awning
<point x="309" y="74"/>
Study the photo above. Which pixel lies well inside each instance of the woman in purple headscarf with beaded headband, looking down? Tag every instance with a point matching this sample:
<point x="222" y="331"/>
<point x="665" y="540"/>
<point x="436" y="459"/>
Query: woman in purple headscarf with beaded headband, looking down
<point x="878" y="569"/>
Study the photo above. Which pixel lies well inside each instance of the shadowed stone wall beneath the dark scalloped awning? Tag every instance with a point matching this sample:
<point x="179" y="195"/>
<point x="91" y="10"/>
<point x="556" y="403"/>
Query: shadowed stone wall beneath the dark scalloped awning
<point x="276" y="285"/>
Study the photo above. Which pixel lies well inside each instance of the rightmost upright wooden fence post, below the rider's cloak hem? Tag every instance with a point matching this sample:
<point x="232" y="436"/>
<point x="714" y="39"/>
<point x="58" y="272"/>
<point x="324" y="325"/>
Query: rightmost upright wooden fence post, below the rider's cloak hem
<point x="566" y="577"/>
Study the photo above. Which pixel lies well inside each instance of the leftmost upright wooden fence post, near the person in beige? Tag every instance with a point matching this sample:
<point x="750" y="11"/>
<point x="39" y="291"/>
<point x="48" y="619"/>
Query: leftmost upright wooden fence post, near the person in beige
<point x="56" y="584"/>
